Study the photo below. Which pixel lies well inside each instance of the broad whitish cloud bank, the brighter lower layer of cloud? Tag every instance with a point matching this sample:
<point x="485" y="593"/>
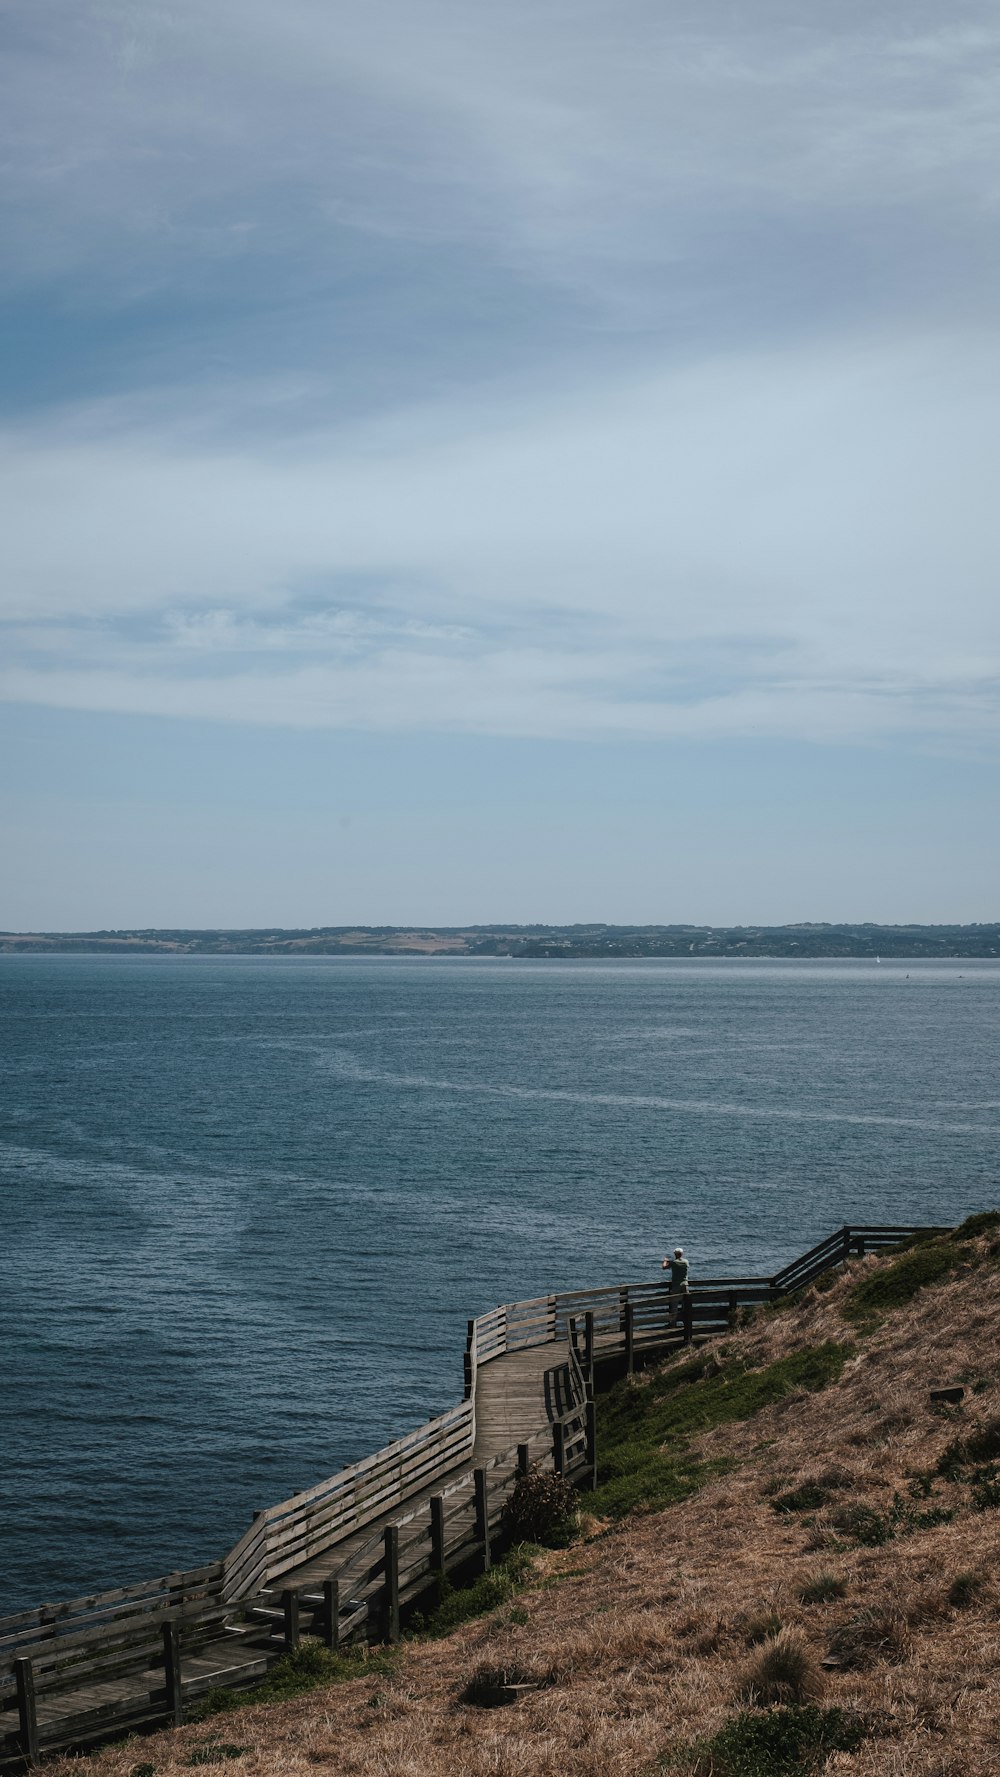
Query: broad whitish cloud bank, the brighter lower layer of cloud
<point x="798" y="545"/>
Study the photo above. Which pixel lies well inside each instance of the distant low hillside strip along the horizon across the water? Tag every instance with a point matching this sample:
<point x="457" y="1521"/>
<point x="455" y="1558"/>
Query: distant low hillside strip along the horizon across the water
<point x="532" y="941"/>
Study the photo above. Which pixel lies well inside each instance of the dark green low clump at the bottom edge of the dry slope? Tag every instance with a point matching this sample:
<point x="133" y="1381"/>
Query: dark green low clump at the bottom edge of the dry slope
<point x="791" y="1742"/>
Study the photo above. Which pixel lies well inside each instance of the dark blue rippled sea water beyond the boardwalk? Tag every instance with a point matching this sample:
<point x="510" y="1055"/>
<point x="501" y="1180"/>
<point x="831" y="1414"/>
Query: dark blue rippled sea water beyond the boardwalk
<point x="250" y="1204"/>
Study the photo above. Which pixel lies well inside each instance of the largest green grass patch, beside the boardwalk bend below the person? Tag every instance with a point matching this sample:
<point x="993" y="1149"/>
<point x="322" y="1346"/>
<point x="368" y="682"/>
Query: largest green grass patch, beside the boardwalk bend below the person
<point x="644" y="1431"/>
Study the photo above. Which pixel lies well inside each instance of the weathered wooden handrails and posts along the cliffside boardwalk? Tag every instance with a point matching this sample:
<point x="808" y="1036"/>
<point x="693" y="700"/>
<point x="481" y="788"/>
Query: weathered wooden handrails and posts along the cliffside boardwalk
<point x="120" y="1627"/>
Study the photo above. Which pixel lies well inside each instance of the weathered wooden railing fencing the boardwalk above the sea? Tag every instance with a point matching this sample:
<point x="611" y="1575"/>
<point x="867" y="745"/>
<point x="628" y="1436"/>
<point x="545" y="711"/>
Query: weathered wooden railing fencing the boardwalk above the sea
<point x="81" y="1671"/>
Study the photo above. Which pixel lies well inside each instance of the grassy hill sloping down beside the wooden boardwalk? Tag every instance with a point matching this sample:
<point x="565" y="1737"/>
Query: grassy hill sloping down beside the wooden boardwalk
<point x="791" y="1566"/>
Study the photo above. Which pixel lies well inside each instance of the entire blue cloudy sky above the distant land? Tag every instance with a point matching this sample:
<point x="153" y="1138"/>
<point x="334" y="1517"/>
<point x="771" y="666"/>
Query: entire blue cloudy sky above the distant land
<point x="468" y="463"/>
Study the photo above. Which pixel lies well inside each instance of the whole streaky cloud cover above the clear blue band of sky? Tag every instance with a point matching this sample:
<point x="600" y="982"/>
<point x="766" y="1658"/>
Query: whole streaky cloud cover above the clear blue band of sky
<point x="523" y="371"/>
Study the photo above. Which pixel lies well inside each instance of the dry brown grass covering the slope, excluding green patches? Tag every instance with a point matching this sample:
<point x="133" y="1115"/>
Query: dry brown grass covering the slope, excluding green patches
<point x="649" y="1645"/>
